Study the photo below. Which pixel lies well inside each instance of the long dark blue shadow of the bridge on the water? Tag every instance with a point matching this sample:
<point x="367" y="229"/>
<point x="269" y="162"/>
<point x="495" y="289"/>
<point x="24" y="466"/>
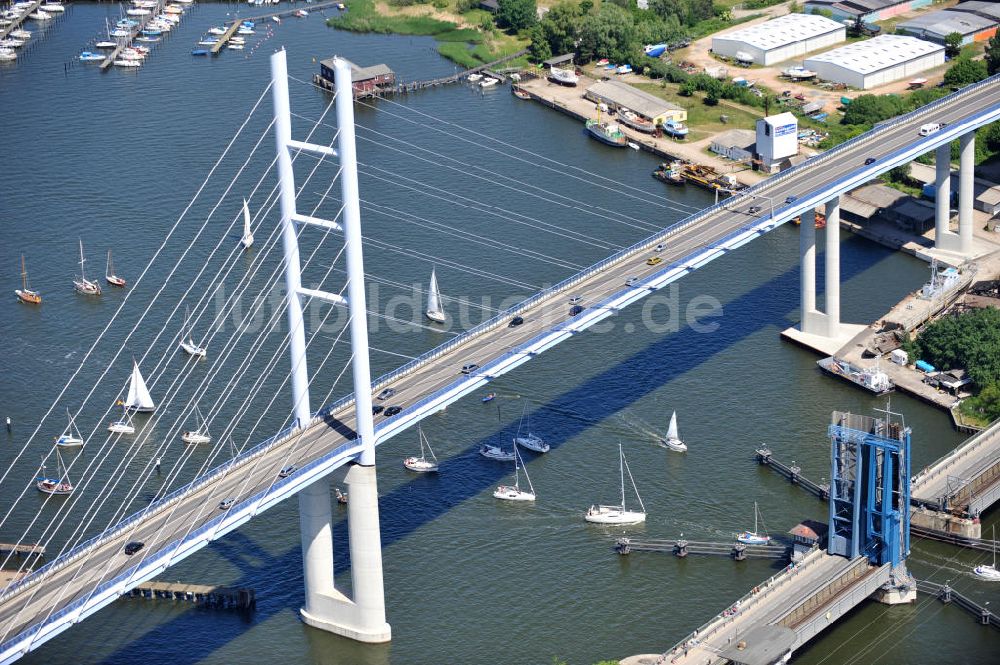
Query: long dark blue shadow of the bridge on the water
<point x="404" y="510"/>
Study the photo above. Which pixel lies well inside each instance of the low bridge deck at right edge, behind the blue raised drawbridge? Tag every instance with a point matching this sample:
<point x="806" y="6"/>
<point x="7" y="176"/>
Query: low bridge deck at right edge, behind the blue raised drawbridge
<point x="965" y="479"/>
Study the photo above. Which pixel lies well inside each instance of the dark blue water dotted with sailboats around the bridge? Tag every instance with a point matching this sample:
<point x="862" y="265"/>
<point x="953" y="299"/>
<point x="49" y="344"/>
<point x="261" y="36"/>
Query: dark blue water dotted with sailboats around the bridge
<point x="502" y="197"/>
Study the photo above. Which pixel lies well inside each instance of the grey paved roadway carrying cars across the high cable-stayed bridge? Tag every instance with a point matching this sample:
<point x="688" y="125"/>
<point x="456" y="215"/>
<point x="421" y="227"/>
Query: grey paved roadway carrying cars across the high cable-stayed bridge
<point x="77" y="579"/>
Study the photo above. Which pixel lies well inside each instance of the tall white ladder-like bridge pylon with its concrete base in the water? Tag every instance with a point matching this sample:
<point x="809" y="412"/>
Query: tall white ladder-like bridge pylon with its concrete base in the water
<point x="362" y="617"/>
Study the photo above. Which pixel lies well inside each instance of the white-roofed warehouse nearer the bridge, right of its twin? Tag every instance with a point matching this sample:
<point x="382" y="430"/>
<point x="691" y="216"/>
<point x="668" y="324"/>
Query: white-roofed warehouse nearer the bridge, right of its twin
<point x="877" y="61"/>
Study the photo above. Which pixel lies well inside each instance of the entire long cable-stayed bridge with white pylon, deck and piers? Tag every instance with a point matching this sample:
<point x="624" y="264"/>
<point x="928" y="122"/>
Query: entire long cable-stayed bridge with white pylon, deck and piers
<point x="93" y="573"/>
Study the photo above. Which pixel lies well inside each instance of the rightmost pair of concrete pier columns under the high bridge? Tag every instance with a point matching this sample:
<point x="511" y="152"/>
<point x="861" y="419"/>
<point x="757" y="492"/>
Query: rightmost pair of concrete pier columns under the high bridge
<point x="944" y="238"/>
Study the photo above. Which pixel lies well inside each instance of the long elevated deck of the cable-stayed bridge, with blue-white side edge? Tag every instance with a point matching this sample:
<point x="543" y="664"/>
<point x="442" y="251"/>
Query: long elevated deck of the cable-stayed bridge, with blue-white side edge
<point x="95" y="573"/>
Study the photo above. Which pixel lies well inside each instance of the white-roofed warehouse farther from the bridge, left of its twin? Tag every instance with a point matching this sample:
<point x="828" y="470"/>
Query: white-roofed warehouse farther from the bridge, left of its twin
<point x="779" y="39"/>
